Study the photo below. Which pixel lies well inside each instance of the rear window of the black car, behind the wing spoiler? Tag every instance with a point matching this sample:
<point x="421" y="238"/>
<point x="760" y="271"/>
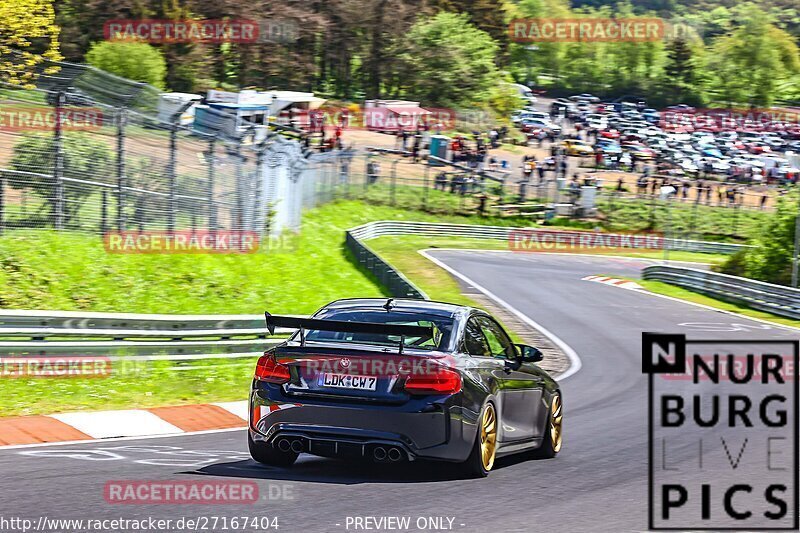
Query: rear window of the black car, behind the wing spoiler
<point x="444" y="325"/>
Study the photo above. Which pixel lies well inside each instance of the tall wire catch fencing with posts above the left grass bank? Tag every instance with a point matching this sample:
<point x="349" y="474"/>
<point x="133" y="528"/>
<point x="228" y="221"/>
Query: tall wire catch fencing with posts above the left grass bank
<point x="88" y="151"/>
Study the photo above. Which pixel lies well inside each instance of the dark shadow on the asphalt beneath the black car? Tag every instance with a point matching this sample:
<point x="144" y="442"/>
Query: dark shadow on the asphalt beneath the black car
<point x="323" y="470"/>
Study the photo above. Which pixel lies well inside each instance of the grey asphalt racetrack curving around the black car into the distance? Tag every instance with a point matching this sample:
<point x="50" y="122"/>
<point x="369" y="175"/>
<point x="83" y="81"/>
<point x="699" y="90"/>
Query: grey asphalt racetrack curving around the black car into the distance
<point x="598" y="482"/>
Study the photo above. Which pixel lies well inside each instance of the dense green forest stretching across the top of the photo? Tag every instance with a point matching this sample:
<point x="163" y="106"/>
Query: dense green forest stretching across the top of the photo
<point x="449" y="52"/>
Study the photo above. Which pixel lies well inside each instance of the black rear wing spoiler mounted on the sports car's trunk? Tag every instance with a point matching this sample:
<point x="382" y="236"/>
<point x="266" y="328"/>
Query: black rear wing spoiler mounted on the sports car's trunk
<point x="343" y="326"/>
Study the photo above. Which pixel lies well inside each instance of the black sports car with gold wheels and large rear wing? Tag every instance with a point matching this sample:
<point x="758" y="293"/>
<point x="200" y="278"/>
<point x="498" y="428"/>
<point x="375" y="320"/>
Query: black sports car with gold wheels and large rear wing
<point x="401" y="380"/>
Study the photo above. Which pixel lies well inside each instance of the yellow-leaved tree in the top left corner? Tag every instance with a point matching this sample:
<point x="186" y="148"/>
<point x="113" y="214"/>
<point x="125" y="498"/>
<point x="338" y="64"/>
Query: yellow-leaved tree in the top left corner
<point x="28" y="37"/>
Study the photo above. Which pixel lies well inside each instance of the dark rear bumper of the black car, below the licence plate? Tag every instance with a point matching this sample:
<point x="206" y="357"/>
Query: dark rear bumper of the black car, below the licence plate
<point x="421" y="428"/>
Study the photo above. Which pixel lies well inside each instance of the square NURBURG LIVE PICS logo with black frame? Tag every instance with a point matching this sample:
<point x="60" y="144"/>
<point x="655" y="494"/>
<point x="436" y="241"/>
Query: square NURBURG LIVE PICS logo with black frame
<point x="722" y="433"/>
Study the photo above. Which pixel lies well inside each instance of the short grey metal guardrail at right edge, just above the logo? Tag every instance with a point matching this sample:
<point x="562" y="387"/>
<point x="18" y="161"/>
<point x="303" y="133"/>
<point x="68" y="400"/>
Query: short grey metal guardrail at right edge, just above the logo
<point x="775" y="299"/>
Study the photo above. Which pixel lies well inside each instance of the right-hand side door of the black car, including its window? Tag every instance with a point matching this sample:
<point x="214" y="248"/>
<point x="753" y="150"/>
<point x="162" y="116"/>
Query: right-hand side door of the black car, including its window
<point x="520" y="388"/>
